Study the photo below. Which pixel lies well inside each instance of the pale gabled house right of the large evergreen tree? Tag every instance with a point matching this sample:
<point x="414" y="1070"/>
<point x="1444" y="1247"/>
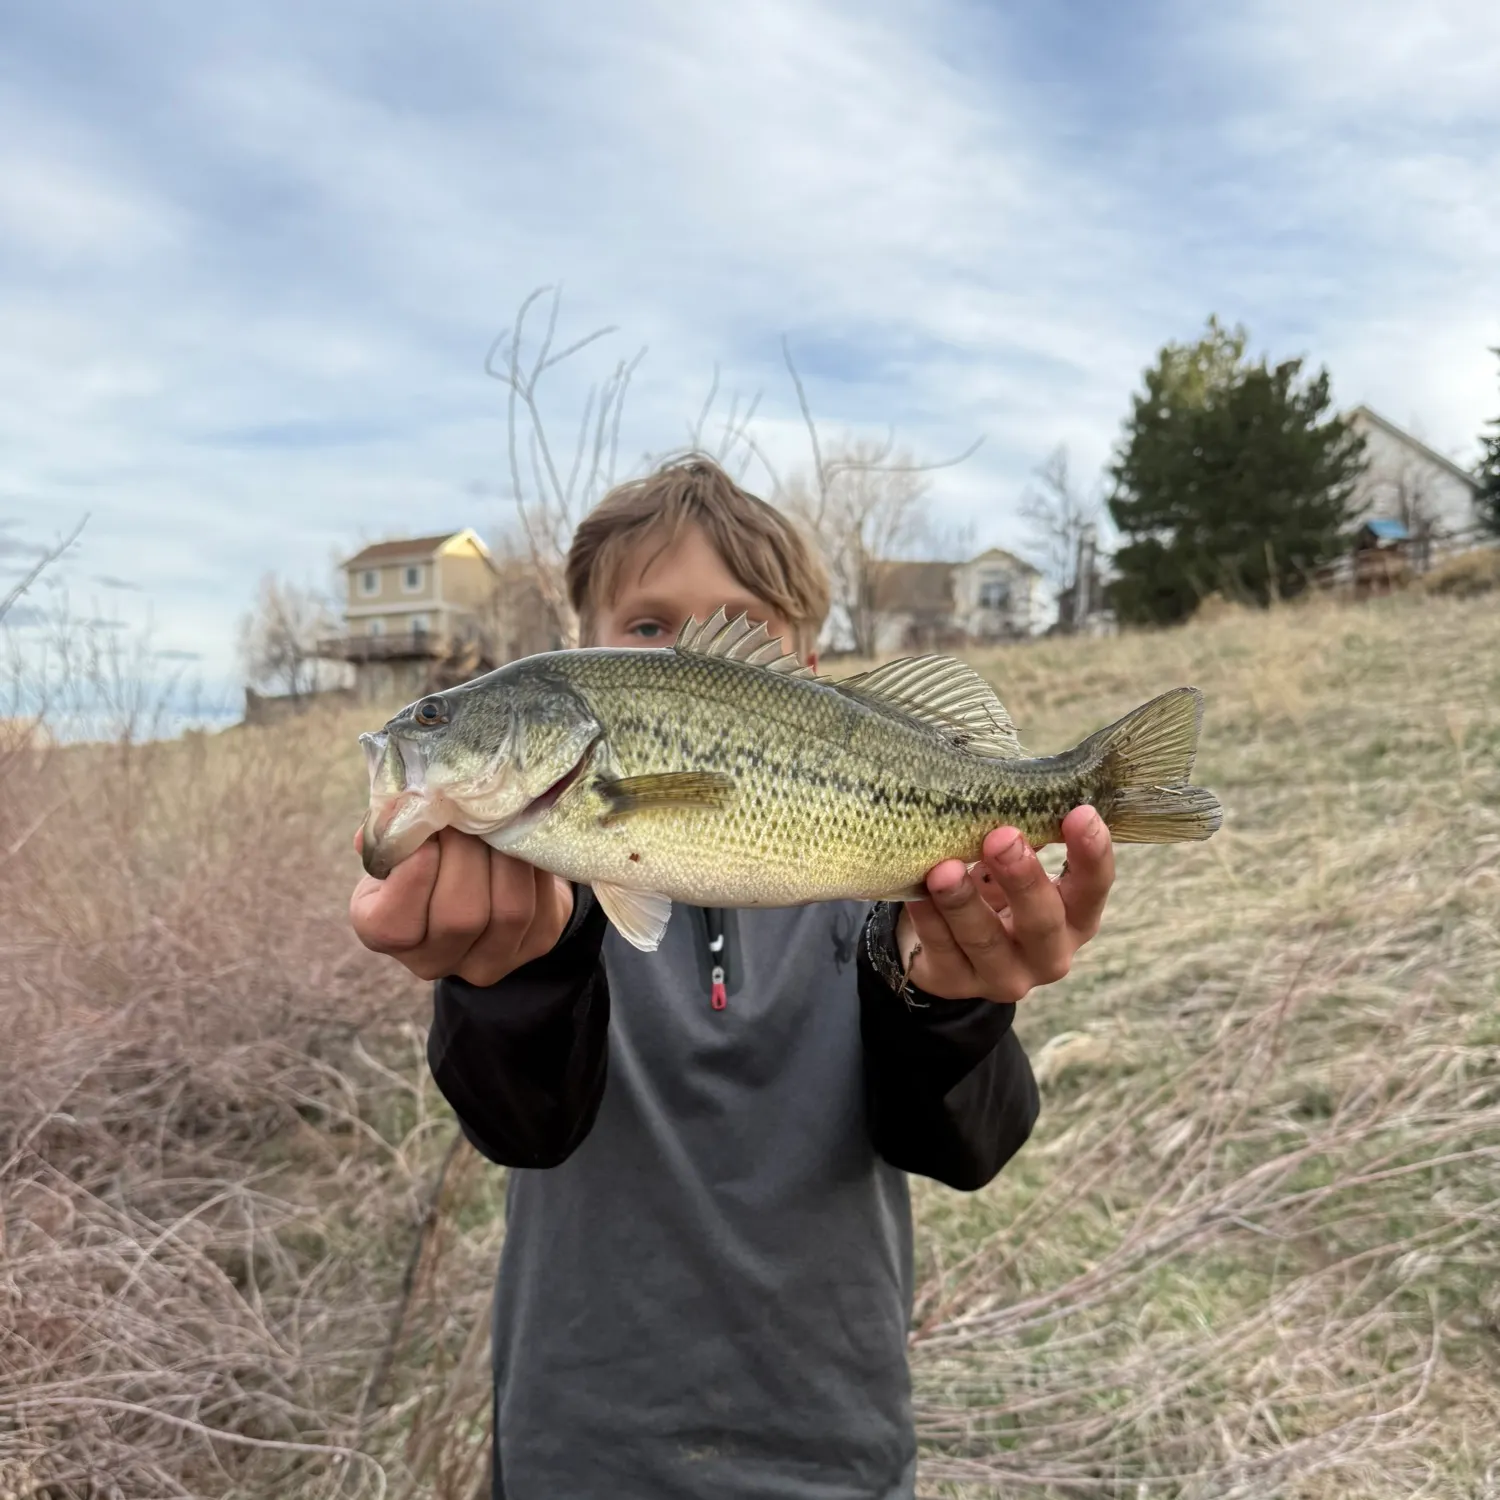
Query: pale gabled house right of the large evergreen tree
<point x="1408" y="482"/>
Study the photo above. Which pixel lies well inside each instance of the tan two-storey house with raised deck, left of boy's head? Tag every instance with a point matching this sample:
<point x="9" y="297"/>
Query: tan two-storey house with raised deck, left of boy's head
<point x="422" y="613"/>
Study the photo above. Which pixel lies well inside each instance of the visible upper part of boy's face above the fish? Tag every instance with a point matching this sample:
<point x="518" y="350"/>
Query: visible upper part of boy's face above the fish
<point x="662" y="589"/>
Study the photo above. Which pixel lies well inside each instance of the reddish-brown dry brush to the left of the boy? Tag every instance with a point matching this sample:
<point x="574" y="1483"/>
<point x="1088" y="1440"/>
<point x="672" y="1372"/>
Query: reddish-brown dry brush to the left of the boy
<point x="215" y="1145"/>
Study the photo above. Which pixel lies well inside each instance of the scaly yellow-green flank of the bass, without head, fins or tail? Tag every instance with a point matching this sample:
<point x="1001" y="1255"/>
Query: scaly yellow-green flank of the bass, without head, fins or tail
<point x="833" y="799"/>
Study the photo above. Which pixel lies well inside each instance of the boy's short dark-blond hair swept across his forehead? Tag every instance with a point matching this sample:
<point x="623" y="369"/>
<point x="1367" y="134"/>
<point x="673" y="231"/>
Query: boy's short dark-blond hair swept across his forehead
<point x="764" y="550"/>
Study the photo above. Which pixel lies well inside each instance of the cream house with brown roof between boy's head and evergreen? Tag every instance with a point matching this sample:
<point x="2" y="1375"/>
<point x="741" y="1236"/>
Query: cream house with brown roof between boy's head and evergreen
<point x="938" y="607"/>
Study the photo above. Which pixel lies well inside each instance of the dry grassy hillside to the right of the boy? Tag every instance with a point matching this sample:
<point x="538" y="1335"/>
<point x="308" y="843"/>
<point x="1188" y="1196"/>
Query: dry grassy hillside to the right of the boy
<point x="1252" y="1249"/>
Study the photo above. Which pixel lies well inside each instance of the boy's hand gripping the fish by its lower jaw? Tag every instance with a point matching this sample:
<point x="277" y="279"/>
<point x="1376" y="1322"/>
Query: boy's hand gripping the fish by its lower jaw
<point x="458" y="907"/>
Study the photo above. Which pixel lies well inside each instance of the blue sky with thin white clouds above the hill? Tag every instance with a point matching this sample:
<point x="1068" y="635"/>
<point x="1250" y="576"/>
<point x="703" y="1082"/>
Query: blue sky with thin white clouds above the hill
<point x="253" y="256"/>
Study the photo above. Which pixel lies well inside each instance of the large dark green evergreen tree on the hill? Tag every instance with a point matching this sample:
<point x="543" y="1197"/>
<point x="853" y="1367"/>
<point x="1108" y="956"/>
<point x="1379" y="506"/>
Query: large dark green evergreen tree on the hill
<point x="1232" y="476"/>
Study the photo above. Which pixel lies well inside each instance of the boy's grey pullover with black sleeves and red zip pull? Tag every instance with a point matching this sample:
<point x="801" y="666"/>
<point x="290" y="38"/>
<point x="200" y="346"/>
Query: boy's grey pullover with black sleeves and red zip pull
<point x="707" y="1274"/>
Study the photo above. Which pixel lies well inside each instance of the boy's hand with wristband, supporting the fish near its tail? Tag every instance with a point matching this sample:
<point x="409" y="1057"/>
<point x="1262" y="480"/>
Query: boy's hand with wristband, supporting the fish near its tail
<point x="1007" y="928"/>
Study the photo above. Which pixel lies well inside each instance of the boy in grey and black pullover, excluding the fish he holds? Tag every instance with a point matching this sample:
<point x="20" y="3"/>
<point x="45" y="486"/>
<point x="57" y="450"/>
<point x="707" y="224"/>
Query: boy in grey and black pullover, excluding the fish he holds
<point x="707" y="1274"/>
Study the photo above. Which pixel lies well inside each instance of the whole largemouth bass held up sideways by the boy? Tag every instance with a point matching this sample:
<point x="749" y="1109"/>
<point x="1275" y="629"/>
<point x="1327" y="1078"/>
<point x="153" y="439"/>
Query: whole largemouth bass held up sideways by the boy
<point x="724" y="772"/>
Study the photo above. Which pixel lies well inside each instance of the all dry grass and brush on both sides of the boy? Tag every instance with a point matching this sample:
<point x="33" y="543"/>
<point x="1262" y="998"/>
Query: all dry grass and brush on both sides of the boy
<point x="1250" y="1252"/>
